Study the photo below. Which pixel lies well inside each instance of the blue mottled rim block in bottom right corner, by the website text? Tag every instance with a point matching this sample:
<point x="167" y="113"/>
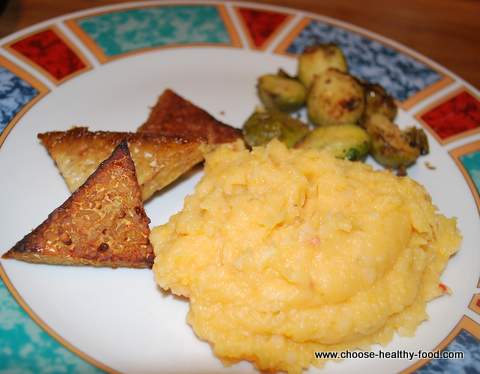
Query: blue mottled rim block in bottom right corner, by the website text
<point x="470" y="364"/>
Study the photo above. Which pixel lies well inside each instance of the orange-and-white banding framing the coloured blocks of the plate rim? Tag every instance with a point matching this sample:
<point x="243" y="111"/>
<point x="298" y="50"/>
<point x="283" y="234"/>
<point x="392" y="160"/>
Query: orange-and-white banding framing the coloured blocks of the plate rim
<point x="451" y="84"/>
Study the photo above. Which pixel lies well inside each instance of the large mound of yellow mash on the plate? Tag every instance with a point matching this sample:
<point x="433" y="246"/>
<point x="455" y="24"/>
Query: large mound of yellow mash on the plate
<point x="286" y="252"/>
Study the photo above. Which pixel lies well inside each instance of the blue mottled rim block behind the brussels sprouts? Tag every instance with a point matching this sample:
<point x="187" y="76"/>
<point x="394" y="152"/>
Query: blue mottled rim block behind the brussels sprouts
<point x="401" y="75"/>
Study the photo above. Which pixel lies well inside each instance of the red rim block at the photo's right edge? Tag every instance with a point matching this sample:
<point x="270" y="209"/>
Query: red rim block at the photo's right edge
<point x="456" y="115"/>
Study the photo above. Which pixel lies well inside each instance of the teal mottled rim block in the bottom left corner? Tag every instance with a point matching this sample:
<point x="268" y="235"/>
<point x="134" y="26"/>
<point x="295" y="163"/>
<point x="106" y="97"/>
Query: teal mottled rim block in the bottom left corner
<point x="25" y="348"/>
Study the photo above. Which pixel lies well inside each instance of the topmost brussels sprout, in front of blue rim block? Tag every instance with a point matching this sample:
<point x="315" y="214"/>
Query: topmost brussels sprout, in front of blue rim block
<point x="317" y="59"/>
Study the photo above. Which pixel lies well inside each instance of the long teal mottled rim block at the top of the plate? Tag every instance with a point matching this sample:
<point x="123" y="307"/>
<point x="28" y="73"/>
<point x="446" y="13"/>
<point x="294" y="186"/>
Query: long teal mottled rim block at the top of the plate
<point x="133" y="29"/>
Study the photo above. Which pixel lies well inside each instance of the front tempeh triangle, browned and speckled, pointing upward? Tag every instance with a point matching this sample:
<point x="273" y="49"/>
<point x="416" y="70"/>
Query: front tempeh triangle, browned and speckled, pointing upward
<point x="102" y="223"/>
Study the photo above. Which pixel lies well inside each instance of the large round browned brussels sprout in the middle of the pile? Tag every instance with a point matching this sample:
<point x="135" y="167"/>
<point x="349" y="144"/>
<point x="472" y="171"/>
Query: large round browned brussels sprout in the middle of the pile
<point x="335" y="98"/>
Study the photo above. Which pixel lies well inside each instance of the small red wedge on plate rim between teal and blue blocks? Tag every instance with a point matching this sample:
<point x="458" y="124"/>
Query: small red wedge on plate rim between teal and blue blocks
<point x="261" y="24"/>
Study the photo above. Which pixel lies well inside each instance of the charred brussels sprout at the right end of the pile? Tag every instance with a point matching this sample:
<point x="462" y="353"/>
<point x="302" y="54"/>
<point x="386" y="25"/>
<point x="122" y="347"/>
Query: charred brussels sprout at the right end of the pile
<point x="390" y="147"/>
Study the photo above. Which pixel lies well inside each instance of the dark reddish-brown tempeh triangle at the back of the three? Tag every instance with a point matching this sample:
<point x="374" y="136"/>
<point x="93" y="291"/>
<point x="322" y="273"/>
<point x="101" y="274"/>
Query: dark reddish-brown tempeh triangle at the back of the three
<point x="174" y="115"/>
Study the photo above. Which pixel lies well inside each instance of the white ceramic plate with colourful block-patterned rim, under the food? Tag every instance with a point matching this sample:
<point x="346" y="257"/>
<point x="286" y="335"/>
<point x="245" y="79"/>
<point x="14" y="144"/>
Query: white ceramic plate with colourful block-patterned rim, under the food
<point x="211" y="54"/>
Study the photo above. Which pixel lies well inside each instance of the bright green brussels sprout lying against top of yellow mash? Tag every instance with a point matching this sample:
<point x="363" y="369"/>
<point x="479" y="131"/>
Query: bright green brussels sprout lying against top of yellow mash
<point x="345" y="141"/>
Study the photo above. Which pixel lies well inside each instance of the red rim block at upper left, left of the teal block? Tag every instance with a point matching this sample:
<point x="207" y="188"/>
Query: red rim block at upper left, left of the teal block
<point x="47" y="50"/>
